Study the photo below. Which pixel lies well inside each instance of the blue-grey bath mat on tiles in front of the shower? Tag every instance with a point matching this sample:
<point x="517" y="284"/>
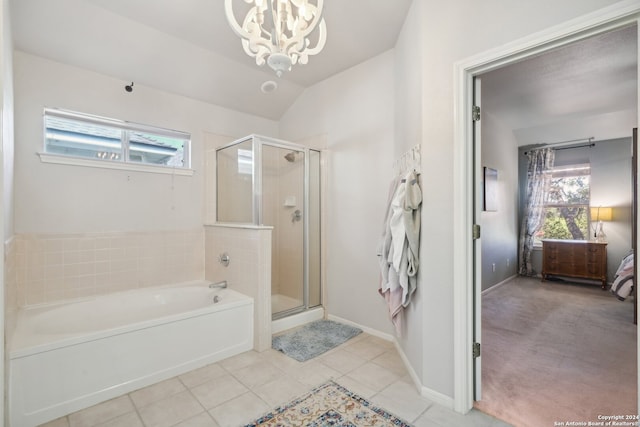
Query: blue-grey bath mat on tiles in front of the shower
<point x="313" y="339"/>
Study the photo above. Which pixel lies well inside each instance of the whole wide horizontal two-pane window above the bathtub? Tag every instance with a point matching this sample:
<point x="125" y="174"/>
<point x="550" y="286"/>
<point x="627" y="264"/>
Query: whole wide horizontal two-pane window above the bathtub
<point x="104" y="142"/>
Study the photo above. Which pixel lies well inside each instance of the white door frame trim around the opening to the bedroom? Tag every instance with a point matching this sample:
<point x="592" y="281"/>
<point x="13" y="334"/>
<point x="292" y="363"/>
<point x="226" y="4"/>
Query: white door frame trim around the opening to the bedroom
<point x="464" y="179"/>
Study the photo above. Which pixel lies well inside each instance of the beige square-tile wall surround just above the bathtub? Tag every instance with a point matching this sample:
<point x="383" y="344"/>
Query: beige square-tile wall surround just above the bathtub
<point x="53" y="267"/>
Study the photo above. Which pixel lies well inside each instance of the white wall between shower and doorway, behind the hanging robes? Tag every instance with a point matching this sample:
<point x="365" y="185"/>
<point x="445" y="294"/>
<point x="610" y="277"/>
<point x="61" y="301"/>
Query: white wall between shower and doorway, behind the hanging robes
<point x="346" y="107"/>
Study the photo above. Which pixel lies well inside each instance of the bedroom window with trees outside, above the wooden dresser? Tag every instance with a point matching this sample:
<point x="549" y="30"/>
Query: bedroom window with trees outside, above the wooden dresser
<point x="567" y="207"/>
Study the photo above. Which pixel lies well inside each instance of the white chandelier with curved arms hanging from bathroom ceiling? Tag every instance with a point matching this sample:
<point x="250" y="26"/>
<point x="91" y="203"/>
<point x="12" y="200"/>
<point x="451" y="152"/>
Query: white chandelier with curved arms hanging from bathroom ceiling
<point x="277" y="31"/>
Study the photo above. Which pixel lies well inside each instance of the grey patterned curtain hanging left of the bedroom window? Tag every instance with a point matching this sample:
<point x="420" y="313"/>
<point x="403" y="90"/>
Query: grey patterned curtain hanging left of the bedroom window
<point x="540" y="161"/>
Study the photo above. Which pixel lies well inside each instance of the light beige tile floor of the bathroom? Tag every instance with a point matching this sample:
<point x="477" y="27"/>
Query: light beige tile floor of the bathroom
<point x="239" y="389"/>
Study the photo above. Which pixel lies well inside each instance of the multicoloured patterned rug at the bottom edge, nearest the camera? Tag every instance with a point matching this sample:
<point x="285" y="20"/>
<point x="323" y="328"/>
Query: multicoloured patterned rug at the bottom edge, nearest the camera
<point x="329" y="405"/>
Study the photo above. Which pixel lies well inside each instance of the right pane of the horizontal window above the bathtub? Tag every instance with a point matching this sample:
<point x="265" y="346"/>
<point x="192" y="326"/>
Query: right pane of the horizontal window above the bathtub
<point x="148" y="148"/>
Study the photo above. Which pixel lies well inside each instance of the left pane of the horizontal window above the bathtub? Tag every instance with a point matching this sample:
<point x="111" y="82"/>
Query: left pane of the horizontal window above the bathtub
<point x="76" y="138"/>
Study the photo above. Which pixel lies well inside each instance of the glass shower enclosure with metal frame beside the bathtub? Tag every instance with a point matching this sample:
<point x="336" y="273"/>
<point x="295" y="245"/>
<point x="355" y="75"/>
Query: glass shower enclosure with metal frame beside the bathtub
<point x="265" y="181"/>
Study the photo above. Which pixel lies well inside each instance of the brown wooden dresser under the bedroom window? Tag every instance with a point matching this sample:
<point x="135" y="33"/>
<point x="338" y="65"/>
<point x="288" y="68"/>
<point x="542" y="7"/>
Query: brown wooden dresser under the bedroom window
<point x="575" y="258"/>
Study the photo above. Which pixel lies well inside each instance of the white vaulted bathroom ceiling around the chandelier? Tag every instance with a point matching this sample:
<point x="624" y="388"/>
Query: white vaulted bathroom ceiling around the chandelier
<point x="187" y="47"/>
